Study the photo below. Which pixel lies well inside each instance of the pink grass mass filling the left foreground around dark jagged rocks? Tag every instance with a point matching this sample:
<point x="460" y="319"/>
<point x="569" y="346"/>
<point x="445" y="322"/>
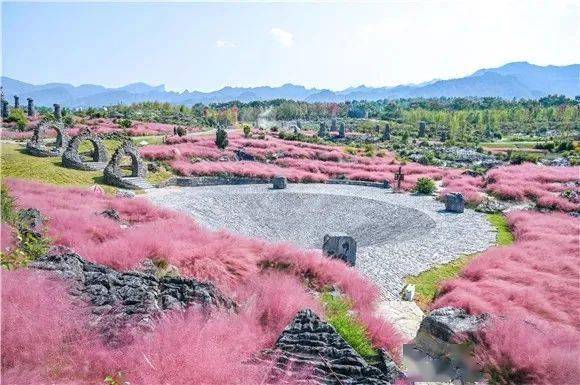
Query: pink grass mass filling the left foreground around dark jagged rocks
<point x="183" y="348"/>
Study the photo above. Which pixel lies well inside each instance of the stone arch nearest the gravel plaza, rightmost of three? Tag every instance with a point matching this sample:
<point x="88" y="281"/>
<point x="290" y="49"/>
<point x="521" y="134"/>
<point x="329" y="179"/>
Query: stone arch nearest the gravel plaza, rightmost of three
<point x="114" y="175"/>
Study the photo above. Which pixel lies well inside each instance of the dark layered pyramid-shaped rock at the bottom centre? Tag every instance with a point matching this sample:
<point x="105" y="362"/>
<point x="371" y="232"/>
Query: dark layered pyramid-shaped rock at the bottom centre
<point x="309" y="347"/>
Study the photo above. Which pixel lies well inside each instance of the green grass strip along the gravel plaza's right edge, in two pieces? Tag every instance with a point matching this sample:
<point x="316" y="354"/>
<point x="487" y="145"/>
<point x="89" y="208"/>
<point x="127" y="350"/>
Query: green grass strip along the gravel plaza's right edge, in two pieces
<point x="427" y="283"/>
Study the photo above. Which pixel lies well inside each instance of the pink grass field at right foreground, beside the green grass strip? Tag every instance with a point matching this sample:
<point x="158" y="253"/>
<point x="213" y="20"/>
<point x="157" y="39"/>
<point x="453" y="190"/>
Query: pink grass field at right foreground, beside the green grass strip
<point x="532" y="287"/>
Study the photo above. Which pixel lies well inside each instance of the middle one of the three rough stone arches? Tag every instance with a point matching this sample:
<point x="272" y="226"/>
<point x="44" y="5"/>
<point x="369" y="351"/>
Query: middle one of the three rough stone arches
<point x="72" y="159"/>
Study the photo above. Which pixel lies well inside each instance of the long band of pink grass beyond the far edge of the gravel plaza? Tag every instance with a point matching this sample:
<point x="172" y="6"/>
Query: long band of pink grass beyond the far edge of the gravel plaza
<point x="303" y="162"/>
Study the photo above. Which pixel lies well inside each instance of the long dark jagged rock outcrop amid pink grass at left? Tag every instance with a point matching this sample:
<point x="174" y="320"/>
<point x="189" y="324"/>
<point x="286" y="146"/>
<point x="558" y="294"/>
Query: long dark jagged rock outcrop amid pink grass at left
<point x="121" y="300"/>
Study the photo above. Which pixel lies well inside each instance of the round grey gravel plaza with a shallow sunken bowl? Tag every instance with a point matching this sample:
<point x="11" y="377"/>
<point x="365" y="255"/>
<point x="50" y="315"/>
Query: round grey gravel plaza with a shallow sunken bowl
<point x="397" y="234"/>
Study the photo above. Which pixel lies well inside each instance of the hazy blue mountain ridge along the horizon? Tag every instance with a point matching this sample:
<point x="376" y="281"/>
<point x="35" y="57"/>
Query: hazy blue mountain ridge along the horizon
<point x="513" y="80"/>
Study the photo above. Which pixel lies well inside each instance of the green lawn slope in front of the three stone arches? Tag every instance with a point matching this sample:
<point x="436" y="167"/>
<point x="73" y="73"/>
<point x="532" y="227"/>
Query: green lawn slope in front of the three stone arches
<point x="17" y="164"/>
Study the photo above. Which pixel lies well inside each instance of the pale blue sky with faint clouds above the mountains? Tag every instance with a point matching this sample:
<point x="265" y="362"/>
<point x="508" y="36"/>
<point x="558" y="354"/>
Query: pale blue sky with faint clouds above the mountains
<point x="205" y="46"/>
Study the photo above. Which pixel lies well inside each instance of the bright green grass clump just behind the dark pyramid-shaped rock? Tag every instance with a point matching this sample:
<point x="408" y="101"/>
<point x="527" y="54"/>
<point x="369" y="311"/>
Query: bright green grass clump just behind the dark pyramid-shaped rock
<point x="338" y="314"/>
